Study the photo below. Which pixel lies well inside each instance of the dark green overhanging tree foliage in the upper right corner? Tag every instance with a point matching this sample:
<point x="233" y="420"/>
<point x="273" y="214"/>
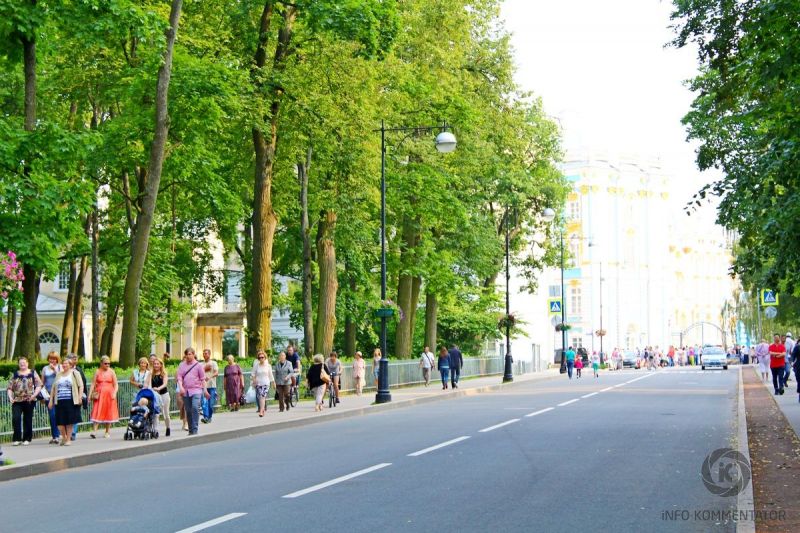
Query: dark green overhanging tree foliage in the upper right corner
<point x="745" y="117"/>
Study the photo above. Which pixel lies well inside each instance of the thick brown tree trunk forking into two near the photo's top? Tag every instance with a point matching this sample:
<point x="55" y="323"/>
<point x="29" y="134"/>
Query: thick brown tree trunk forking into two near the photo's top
<point x="264" y="220"/>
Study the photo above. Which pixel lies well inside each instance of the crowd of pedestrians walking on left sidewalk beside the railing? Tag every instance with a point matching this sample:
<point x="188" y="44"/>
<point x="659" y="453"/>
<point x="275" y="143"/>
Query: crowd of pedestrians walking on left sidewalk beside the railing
<point x="63" y="389"/>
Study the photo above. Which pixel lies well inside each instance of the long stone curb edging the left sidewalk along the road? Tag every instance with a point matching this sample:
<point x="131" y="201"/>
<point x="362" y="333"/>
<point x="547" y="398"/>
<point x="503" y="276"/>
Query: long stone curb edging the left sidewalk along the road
<point x="65" y="463"/>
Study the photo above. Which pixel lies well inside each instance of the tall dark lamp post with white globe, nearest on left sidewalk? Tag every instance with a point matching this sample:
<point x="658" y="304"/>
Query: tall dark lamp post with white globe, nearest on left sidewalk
<point x="445" y="143"/>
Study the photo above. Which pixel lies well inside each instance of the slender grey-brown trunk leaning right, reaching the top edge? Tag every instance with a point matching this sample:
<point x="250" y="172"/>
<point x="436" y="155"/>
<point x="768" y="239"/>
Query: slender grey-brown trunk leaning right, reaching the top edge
<point x="149" y="194"/>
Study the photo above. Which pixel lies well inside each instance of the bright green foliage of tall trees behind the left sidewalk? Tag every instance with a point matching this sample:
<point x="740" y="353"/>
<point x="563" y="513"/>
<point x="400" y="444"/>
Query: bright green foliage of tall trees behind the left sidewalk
<point x="351" y="65"/>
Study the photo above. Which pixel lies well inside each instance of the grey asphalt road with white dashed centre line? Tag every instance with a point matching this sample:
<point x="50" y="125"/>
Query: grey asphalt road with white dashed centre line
<point x="614" y="460"/>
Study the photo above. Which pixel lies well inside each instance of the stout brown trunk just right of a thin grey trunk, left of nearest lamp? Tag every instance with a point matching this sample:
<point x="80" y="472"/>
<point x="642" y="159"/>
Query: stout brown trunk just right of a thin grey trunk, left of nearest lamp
<point x="328" y="283"/>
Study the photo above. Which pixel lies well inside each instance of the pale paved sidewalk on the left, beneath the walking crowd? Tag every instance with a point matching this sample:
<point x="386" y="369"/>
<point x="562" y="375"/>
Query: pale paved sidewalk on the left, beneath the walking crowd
<point x="41" y="457"/>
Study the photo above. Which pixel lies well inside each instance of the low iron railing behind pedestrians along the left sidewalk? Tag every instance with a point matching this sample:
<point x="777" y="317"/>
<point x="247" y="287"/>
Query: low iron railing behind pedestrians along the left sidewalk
<point x="401" y="373"/>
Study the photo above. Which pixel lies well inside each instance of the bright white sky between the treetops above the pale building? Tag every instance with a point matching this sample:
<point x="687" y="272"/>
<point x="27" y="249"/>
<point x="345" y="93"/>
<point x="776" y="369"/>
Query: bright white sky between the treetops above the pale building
<point x="602" y="69"/>
